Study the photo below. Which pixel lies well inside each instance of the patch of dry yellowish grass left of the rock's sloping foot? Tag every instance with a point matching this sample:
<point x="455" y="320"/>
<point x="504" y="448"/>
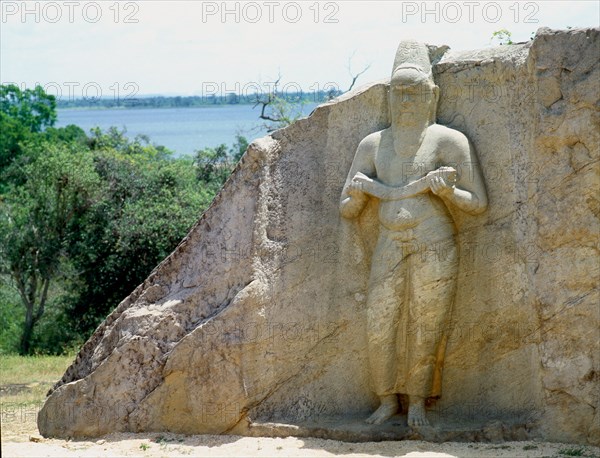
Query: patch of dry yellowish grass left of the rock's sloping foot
<point x="24" y="382"/>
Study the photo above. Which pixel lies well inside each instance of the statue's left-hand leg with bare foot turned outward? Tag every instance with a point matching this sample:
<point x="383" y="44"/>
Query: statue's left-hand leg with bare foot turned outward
<point x="385" y="293"/>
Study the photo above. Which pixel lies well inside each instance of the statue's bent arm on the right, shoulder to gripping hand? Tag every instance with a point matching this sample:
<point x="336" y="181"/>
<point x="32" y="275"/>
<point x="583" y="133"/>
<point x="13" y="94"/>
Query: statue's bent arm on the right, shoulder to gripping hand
<point x="469" y="193"/>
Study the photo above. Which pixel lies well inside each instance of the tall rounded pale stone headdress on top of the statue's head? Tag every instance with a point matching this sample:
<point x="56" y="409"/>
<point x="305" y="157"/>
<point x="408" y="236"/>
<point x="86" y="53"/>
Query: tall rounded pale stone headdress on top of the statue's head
<point x="411" y="64"/>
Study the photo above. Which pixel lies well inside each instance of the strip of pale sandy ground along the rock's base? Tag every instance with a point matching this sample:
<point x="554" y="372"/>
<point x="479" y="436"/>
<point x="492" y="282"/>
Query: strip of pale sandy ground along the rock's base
<point x="171" y="445"/>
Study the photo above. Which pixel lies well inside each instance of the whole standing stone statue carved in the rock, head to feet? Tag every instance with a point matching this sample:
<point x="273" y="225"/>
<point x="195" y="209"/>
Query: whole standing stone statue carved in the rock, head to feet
<point x="418" y="170"/>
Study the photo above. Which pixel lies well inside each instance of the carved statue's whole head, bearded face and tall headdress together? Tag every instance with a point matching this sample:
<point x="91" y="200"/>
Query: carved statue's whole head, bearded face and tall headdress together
<point x="413" y="93"/>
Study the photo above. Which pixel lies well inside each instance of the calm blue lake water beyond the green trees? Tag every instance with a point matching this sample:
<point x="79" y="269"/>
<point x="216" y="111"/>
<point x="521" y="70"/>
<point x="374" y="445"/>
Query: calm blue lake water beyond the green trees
<point x="182" y="130"/>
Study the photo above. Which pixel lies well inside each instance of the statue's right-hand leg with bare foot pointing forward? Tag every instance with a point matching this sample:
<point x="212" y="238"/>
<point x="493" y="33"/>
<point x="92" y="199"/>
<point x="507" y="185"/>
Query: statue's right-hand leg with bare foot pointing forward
<point x="430" y="295"/>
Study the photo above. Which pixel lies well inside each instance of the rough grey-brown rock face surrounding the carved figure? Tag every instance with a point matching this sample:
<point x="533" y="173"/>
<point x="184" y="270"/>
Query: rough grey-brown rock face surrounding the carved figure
<point x="259" y="315"/>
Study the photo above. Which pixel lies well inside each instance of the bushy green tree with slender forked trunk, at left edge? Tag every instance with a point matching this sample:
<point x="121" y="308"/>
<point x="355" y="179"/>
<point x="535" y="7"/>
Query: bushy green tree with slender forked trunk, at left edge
<point x="35" y="222"/>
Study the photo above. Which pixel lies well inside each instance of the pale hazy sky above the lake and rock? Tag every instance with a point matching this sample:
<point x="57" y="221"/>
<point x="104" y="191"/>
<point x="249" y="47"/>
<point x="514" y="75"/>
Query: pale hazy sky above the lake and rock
<point x="131" y="48"/>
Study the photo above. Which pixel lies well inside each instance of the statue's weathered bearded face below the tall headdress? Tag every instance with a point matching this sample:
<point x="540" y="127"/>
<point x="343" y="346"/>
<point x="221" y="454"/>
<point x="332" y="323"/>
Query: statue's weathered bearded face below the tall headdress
<point x="411" y="105"/>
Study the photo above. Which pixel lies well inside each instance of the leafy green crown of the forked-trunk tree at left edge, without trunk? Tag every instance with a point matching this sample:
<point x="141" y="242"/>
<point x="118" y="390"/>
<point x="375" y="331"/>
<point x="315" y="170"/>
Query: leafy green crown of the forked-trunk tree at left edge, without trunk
<point x="58" y="187"/>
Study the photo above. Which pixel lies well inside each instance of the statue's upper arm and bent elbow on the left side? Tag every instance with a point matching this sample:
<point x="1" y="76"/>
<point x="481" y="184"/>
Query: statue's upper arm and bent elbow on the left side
<point x="353" y="198"/>
